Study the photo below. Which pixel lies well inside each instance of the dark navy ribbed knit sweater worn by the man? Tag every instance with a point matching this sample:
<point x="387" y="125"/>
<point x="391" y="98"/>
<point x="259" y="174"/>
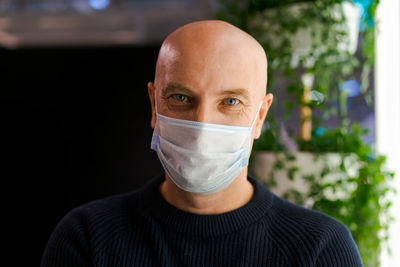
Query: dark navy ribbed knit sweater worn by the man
<point x="141" y="229"/>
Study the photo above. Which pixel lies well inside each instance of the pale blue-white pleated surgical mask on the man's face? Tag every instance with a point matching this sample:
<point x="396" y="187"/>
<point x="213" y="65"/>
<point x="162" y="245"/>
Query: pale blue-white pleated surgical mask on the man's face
<point x="201" y="158"/>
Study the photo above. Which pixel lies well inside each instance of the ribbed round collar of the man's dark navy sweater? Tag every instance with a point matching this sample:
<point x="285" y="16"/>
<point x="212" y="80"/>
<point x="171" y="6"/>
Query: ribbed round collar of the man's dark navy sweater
<point x="205" y="225"/>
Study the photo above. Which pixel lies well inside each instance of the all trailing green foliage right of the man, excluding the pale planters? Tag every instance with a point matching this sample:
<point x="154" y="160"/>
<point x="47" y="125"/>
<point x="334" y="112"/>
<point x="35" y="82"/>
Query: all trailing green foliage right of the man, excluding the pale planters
<point x="364" y="204"/>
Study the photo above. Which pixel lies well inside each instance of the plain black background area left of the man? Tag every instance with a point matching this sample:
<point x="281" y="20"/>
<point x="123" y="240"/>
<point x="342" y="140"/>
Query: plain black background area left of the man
<point x="79" y="131"/>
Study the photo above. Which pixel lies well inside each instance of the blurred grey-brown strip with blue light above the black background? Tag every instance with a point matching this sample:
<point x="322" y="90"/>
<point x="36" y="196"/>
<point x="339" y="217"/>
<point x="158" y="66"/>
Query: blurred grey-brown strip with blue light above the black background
<point x="53" y="23"/>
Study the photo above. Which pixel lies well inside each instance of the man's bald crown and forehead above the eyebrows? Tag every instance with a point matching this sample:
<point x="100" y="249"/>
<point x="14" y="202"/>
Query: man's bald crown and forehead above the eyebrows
<point x="215" y="45"/>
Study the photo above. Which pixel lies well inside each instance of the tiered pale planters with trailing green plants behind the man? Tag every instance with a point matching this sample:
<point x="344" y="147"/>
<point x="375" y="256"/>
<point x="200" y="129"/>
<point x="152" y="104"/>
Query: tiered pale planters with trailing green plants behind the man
<point x="311" y="47"/>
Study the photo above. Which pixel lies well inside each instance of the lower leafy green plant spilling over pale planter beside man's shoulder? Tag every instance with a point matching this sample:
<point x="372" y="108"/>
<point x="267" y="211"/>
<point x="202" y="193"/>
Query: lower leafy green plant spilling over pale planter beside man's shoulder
<point x="364" y="209"/>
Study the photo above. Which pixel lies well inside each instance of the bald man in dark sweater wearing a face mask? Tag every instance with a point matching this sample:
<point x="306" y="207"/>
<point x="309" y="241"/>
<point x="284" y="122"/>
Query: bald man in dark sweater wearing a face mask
<point x="208" y="104"/>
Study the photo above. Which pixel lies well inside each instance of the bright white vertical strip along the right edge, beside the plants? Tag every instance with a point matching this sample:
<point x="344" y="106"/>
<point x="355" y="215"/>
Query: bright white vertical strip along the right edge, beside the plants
<point x="387" y="51"/>
